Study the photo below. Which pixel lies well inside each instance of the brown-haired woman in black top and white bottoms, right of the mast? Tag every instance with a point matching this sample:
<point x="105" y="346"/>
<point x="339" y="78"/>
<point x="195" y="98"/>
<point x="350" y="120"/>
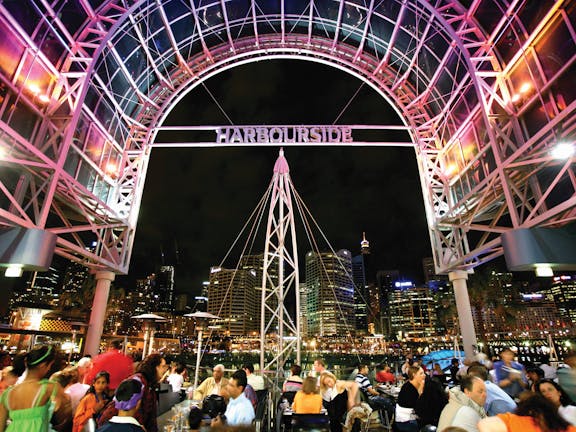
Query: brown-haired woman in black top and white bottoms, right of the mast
<point x="406" y="419"/>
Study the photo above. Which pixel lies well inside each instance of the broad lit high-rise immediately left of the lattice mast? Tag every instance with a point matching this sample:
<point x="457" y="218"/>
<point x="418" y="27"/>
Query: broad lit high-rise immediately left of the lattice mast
<point x="232" y="297"/>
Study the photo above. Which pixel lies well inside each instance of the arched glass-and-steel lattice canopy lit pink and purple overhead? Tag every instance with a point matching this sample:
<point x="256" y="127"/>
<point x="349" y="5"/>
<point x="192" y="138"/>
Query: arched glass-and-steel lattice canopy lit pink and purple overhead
<point x="484" y="86"/>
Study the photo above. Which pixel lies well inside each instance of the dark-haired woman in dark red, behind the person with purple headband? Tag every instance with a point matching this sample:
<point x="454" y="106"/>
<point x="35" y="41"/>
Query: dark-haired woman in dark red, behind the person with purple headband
<point x="149" y="372"/>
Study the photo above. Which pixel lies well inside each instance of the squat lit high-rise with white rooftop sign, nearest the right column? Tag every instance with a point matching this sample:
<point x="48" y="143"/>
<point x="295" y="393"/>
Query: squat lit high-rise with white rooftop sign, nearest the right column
<point x="412" y="311"/>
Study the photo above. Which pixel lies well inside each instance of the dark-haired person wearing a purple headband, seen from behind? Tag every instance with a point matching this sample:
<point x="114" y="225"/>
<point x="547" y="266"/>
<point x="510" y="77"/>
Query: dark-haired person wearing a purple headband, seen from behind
<point x="127" y="401"/>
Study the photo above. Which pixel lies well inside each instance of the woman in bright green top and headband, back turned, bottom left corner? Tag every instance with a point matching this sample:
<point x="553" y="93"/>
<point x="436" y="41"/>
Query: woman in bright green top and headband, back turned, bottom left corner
<point x="30" y="405"/>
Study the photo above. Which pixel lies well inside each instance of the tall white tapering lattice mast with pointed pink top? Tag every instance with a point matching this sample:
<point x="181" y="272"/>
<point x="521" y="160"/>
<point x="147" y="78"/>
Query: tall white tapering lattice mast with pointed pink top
<point x="280" y="277"/>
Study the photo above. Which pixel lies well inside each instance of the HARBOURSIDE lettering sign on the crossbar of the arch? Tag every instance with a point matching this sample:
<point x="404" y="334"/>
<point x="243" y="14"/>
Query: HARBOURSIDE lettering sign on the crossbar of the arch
<point x="284" y="134"/>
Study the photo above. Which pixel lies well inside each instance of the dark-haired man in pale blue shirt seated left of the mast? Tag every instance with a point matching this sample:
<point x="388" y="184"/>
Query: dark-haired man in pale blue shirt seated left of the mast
<point x="239" y="410"/>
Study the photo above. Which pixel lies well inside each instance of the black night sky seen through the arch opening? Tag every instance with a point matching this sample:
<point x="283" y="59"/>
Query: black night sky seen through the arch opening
<point x="197" y="200"/>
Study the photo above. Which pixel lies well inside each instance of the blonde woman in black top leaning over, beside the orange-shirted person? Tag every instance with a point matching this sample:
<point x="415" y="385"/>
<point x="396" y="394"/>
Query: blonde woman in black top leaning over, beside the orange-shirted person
<point x="339" y="397"/>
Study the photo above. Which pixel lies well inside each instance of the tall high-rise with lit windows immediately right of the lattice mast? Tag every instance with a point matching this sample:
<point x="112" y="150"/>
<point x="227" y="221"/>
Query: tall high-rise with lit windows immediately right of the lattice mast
<point x="330" y="291"/>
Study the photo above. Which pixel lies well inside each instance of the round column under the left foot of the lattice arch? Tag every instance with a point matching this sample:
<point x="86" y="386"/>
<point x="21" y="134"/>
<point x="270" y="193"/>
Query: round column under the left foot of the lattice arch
<point x="98" y="315"/>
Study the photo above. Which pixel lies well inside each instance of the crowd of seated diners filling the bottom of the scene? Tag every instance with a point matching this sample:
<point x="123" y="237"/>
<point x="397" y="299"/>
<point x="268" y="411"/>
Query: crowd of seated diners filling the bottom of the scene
<point x="112" y="393"/>
